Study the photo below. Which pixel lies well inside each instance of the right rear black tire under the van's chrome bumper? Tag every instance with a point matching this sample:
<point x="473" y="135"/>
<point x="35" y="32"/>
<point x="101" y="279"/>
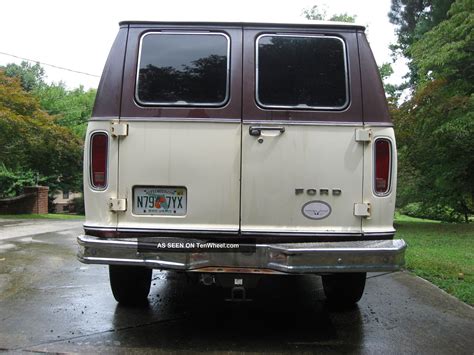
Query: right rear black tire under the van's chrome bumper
<point x="344" y="289"/>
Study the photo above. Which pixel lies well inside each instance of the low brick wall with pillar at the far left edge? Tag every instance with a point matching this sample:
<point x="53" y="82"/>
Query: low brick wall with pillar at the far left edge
<point x="33" y="201"/>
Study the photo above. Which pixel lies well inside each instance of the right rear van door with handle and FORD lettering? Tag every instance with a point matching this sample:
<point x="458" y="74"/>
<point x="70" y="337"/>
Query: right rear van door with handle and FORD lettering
<point x="301" y="164"/>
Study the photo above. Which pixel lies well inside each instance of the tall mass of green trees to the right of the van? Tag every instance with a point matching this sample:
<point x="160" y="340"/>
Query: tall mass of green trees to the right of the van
<point x="436" y="126"/>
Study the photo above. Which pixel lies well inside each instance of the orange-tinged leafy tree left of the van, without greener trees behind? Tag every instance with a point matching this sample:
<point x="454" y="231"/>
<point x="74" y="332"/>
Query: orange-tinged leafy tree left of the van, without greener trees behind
<point x="31" y="140"/>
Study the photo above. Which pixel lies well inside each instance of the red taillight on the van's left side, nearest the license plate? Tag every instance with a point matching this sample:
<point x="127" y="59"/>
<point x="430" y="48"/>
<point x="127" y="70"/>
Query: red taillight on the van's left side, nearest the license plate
<point x="99" y="150"/>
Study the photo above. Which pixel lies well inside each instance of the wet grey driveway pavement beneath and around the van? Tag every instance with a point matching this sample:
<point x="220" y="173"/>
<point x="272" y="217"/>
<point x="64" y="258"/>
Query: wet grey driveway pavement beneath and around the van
<point x="51" y="302"/>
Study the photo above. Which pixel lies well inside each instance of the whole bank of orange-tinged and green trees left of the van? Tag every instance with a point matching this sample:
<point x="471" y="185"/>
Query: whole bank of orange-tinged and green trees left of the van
<point x="42" y="127"/>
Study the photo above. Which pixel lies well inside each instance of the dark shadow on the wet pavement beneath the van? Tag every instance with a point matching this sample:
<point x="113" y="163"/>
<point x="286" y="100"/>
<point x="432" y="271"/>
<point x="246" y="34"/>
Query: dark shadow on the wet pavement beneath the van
<point x="286" y="313"/>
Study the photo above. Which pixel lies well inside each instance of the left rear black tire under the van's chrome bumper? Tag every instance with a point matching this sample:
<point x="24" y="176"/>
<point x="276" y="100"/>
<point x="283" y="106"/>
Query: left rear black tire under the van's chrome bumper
<point x="130" y="284"/>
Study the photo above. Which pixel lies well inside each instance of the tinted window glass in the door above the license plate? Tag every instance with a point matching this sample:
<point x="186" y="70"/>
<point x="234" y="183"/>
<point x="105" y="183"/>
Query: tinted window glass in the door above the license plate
<point x="183" y="69"/>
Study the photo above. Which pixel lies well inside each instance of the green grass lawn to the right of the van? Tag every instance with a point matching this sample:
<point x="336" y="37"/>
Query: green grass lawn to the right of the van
<point x="442" y="253"/>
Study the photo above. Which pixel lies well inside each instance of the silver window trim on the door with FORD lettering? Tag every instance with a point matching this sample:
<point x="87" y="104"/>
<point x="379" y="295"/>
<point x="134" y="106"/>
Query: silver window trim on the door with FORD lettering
<point x="299" y="107"/>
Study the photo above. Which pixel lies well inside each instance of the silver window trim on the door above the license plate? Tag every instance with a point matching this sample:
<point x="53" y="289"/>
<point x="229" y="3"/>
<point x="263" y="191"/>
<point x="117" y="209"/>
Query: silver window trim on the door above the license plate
<point x="179" y="104"/>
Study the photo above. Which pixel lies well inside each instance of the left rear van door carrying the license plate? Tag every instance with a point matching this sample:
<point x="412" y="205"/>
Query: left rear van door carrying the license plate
<point x="179" y="164"/>
